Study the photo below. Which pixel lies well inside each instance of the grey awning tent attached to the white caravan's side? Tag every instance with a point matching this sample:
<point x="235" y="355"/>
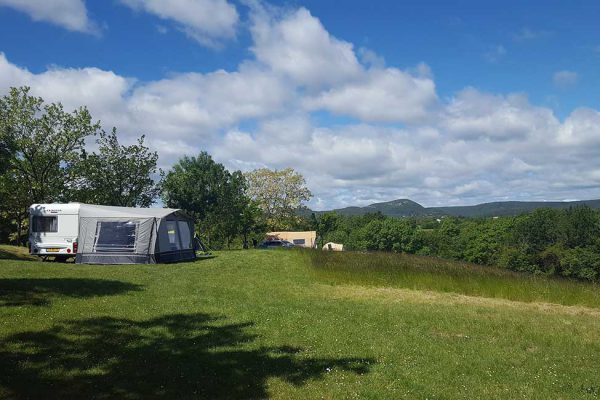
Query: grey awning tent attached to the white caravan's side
<point x="123" y="235"/>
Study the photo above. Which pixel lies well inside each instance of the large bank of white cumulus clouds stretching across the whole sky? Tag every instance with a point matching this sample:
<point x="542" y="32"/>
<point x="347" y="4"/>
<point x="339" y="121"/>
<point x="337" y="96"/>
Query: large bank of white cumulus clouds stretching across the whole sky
<point x="277" y="110"/>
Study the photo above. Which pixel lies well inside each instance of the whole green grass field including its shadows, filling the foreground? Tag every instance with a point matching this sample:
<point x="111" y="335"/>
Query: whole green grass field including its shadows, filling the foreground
<point x="280" y="324"/>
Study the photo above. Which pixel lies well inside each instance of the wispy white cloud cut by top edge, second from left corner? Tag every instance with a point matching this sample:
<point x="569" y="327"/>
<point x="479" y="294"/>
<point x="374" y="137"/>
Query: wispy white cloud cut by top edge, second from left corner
<point x="206" y="21"/>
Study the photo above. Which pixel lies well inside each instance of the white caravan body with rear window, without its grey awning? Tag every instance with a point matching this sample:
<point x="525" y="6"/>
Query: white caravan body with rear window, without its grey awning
<point x="53" y="230"/>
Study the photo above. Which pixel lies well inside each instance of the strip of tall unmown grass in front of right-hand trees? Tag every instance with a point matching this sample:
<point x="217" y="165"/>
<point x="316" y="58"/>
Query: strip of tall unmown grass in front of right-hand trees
<point x="429" y="273"/>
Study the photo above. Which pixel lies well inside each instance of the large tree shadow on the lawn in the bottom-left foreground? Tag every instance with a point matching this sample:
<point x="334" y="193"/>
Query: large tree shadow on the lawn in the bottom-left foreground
<point x="174" y="356"/>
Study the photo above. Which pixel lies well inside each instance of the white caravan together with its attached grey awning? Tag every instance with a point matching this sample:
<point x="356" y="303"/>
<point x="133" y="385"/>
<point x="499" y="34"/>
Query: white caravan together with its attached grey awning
<point x="97" y="234"/>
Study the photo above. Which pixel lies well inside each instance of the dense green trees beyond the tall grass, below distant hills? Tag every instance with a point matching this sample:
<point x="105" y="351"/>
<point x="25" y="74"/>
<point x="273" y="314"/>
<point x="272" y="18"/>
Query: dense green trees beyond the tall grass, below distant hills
<point x="546" y="241"/>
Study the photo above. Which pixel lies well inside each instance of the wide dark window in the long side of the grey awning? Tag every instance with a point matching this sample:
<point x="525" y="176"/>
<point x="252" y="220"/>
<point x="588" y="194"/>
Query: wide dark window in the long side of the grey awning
<point x="112" y="236"/>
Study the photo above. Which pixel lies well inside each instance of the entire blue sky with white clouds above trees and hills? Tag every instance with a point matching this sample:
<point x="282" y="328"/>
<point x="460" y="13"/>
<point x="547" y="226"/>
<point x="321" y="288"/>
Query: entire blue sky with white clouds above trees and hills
<point x="443" y="102"/>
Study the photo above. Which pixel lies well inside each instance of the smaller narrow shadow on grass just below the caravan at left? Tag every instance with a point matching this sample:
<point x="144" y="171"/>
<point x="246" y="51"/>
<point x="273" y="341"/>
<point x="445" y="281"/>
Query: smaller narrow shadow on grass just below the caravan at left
<point x="39" y="292"/>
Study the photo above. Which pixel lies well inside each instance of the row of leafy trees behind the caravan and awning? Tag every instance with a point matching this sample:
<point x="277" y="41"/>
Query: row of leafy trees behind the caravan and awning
<point x="44" y="159"/>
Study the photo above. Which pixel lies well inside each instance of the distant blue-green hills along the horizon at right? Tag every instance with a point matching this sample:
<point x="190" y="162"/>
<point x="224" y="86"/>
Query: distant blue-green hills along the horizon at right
<point x="409" y="208"/>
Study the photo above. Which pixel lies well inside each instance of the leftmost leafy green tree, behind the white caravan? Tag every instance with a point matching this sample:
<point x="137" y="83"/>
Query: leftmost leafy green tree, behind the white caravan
<point x="39" y="145"/>
